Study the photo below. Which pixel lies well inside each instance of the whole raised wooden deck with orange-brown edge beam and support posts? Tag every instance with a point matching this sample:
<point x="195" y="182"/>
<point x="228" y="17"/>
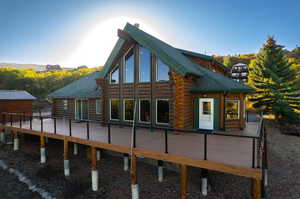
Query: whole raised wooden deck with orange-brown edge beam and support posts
<point x="224" y="153"/>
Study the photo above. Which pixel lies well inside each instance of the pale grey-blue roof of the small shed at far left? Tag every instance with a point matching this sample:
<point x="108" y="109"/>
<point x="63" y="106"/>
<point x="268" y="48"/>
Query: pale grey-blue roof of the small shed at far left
<point x="15" y="95"/>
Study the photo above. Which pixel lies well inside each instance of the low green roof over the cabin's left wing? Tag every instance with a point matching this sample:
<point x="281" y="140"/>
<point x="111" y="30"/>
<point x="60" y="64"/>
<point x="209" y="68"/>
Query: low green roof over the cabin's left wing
<point x="85" y="87"/>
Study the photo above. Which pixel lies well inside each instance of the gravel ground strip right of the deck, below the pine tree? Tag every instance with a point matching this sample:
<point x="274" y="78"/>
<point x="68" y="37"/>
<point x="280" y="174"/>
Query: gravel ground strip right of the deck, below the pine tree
<point x="284" y="164"/>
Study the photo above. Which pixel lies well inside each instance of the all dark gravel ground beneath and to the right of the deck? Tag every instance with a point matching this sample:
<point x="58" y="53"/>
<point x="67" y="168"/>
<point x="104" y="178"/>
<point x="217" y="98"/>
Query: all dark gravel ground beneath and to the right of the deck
<point x="284" y="174"/>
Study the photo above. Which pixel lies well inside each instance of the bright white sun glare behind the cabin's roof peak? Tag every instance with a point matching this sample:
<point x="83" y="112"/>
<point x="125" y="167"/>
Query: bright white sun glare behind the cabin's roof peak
<point x="96" y="45"/>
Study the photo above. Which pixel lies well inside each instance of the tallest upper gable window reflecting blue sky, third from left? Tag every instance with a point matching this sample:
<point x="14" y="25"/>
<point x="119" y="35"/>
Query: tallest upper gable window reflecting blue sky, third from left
<point x="145" y="65"/>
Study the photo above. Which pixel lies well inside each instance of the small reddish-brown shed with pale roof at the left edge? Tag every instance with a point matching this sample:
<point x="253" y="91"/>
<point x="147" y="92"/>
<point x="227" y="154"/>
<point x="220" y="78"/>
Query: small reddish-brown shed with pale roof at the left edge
<point x="13" y="101"/>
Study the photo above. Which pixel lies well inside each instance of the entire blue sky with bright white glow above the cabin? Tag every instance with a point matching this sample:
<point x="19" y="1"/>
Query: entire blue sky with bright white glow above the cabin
<point x="83" y="32"/>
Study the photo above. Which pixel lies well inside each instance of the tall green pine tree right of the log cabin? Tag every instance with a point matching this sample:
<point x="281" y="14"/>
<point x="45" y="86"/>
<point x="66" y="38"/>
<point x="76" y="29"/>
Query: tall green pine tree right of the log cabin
<point x="275" y="82"/>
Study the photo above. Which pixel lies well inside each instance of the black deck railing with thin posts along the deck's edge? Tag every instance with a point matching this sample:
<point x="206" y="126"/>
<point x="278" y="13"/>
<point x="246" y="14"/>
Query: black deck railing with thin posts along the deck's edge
<point x="258" y="142"/>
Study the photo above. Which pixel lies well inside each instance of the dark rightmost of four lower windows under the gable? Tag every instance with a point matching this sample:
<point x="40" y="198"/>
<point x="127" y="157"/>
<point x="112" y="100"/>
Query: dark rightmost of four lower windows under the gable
<point x="162" y="111"/>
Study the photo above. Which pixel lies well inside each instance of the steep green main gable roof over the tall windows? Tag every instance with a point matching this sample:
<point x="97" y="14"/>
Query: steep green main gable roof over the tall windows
<point x="166" y="53"/>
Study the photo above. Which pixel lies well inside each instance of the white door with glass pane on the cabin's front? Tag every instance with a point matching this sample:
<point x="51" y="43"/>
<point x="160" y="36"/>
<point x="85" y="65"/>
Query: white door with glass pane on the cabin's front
<point x="206" y="113"/>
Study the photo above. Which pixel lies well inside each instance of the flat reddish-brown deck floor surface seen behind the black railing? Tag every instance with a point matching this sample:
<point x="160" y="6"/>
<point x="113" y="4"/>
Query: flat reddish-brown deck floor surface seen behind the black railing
<point x="229" y="150"/>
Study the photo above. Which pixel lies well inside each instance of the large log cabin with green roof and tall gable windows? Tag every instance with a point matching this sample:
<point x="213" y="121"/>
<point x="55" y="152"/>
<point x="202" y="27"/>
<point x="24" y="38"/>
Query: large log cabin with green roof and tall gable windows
<point x="168" y="86"/>
